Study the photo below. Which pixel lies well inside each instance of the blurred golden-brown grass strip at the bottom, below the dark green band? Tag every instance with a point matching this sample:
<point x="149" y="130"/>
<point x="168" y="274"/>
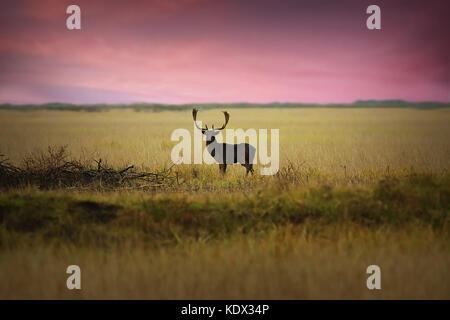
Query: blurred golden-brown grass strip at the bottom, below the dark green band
<point x="285" y="264"/>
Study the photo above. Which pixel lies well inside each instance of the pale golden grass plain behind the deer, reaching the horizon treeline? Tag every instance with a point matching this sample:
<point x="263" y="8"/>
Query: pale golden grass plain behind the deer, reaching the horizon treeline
<point x="327" y="139"/>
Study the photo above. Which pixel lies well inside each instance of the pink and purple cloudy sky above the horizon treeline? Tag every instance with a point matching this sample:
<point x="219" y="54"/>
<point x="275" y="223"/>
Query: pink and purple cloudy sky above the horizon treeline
<point x="198" y="51"/>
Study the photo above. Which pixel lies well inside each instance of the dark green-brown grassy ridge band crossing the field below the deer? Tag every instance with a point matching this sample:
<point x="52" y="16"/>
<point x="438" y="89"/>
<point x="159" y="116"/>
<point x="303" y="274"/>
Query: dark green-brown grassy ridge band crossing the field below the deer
<point x="104" y="220"/>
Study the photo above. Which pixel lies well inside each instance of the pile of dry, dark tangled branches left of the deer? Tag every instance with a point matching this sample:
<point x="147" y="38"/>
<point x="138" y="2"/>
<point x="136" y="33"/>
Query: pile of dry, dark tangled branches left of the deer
<point x="54" y="170"/>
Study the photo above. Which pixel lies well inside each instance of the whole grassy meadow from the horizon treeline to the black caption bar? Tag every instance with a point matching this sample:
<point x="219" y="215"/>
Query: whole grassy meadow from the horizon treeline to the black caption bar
<point x="356" y="187"/>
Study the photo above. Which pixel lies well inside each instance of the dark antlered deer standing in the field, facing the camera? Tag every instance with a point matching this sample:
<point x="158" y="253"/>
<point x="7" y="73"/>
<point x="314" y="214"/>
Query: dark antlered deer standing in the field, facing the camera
<point x="243" y="153"/>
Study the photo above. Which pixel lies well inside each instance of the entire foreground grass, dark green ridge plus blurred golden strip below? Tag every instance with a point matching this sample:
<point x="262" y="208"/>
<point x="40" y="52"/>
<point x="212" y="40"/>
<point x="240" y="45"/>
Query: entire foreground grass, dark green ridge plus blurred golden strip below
<point x="295" y="243"/>
